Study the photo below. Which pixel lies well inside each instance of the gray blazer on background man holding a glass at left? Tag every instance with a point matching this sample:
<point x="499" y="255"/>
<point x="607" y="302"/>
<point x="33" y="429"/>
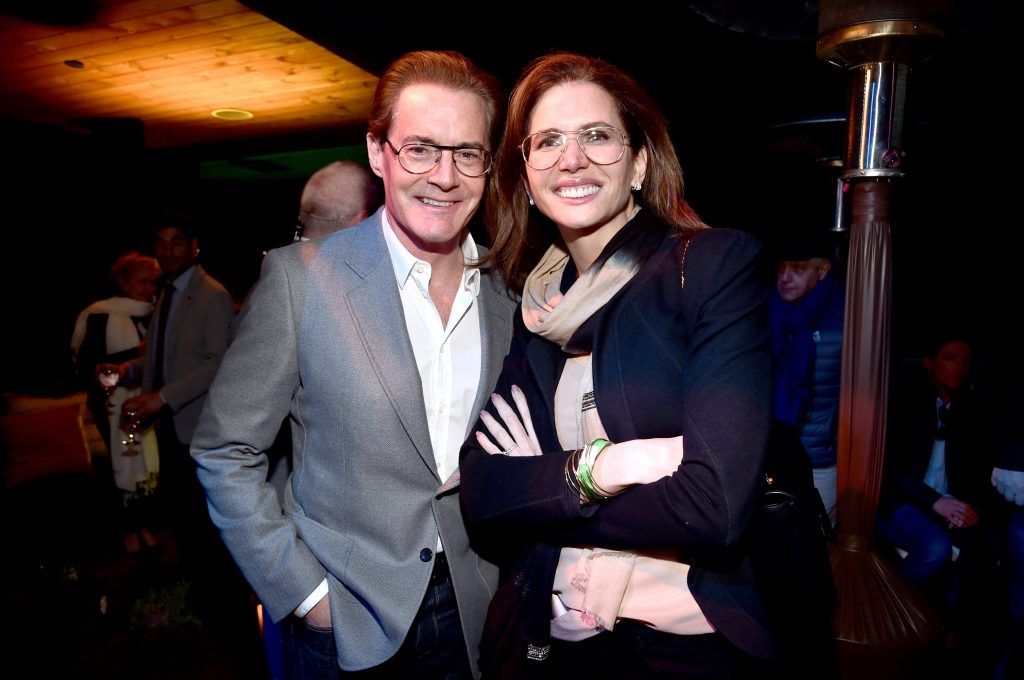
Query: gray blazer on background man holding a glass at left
<point x="195" y="344"/>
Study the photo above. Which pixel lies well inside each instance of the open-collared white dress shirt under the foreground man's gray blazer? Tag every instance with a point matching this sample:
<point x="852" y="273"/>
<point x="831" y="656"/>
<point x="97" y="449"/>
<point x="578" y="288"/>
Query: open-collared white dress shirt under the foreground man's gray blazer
<point x="448" y="358"/>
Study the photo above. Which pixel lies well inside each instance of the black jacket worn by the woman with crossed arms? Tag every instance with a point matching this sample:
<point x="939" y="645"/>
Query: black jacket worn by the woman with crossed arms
<point x="668" y="360"/>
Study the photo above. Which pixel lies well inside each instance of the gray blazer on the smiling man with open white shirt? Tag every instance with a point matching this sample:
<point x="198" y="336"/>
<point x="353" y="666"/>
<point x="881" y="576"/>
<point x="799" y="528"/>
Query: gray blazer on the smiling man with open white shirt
<point x="323" y="342"/>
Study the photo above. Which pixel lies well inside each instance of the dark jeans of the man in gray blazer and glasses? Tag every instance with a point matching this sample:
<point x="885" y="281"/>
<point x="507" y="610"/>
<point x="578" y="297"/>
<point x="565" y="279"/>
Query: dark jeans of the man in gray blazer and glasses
<point x="435" y="647"/>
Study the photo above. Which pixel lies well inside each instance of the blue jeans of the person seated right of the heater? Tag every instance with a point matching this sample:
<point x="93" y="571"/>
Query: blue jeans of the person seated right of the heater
<point x="926" y="540"/>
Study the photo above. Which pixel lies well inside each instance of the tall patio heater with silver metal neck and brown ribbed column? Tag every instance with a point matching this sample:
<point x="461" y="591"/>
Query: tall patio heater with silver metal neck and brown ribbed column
<point x="882" y="625"/>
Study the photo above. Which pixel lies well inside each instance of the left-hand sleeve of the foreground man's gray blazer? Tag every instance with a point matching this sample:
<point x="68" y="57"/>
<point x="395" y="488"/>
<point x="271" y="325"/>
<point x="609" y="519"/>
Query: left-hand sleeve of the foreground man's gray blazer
<point x="244" y="411"/>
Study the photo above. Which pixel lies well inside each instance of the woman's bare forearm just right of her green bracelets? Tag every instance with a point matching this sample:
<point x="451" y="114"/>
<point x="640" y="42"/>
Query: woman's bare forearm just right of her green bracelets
<point x="637" y="462"/>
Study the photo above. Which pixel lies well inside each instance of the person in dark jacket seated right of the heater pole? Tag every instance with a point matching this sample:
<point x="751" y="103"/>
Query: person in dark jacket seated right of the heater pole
<point x="938" y="504"/>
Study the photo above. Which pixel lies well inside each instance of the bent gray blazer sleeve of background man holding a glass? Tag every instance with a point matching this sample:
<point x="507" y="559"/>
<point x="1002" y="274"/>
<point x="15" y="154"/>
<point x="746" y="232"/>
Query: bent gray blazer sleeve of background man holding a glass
<point x="216" y="315"/>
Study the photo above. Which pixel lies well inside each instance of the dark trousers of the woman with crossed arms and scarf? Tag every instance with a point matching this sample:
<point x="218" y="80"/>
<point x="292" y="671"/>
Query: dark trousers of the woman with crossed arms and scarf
<point x="634" y="651"/>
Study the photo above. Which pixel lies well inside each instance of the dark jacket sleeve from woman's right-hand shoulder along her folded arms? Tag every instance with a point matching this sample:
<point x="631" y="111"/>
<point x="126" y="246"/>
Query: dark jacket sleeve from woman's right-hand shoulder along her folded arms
<point x="724" y="419"/>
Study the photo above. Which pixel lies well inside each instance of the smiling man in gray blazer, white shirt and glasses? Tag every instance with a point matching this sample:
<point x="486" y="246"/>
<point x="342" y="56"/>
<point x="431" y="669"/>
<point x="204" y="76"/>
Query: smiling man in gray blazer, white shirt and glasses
<point x="380" y="344"/>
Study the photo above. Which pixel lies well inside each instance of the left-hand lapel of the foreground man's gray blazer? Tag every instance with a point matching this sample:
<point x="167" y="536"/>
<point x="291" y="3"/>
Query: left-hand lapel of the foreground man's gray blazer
<point x="380" y="322"/>
